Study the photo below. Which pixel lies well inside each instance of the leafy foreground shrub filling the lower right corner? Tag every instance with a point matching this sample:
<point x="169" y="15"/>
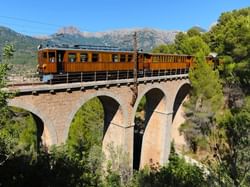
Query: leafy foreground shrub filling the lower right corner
<point x="232" y="145"/>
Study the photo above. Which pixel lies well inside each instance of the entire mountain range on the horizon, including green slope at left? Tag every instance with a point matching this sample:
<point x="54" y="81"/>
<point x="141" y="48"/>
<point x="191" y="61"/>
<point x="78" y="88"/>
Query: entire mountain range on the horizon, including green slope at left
<point x="26" y="45"/>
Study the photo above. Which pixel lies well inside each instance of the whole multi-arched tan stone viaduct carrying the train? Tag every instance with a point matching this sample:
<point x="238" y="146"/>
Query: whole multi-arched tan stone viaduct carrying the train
<point x="56" y="105"/>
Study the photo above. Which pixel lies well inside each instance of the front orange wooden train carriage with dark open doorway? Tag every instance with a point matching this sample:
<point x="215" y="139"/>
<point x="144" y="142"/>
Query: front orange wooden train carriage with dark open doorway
<point x="59" y="60"/>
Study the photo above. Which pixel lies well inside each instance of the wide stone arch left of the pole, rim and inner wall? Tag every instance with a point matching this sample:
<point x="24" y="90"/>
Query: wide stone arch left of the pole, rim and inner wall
<point x="115" y="116"/>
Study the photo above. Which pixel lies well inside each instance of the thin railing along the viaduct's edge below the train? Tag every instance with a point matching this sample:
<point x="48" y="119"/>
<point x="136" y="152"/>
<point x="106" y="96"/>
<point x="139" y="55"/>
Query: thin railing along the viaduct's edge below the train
<point x="29" y="78"/>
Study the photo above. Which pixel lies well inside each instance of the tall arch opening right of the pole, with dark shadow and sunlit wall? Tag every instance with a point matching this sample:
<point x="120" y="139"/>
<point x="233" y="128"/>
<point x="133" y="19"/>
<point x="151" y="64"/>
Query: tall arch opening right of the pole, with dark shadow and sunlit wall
<point x="149" y="117"/>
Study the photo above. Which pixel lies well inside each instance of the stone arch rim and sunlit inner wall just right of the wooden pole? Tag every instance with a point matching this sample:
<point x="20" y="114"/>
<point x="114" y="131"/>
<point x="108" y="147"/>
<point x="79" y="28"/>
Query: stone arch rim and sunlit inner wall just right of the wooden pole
<point x="153" y="141"/>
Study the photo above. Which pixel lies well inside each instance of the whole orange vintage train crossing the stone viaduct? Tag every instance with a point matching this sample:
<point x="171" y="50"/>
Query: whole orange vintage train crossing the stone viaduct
<point x="98" y="62"/>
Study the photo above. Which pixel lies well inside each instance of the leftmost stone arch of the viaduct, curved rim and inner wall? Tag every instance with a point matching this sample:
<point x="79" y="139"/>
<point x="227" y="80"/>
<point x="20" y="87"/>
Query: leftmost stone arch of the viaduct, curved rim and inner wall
<point x="49" y="135"/>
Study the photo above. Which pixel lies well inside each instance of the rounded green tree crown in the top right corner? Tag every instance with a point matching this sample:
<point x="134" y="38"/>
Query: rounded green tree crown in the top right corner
<point x="231" y="35"/>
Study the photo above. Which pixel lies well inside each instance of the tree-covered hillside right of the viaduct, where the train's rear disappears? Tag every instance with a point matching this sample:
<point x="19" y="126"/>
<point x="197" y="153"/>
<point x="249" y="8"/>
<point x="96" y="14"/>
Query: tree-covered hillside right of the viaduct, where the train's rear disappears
<point x="217" y="125"/>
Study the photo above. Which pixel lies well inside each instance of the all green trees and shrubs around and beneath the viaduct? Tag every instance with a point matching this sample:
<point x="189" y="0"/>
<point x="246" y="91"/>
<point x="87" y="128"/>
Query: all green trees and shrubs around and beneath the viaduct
<point x="217" y="125"/>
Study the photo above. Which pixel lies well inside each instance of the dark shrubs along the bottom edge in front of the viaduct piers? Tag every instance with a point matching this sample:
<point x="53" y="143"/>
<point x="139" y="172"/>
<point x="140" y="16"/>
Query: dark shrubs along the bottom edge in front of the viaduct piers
<point x="57" y="168"/>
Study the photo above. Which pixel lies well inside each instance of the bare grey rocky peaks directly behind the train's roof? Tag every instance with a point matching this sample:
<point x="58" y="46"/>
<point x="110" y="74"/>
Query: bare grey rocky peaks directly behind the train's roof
<point x="147" y="38"/>
